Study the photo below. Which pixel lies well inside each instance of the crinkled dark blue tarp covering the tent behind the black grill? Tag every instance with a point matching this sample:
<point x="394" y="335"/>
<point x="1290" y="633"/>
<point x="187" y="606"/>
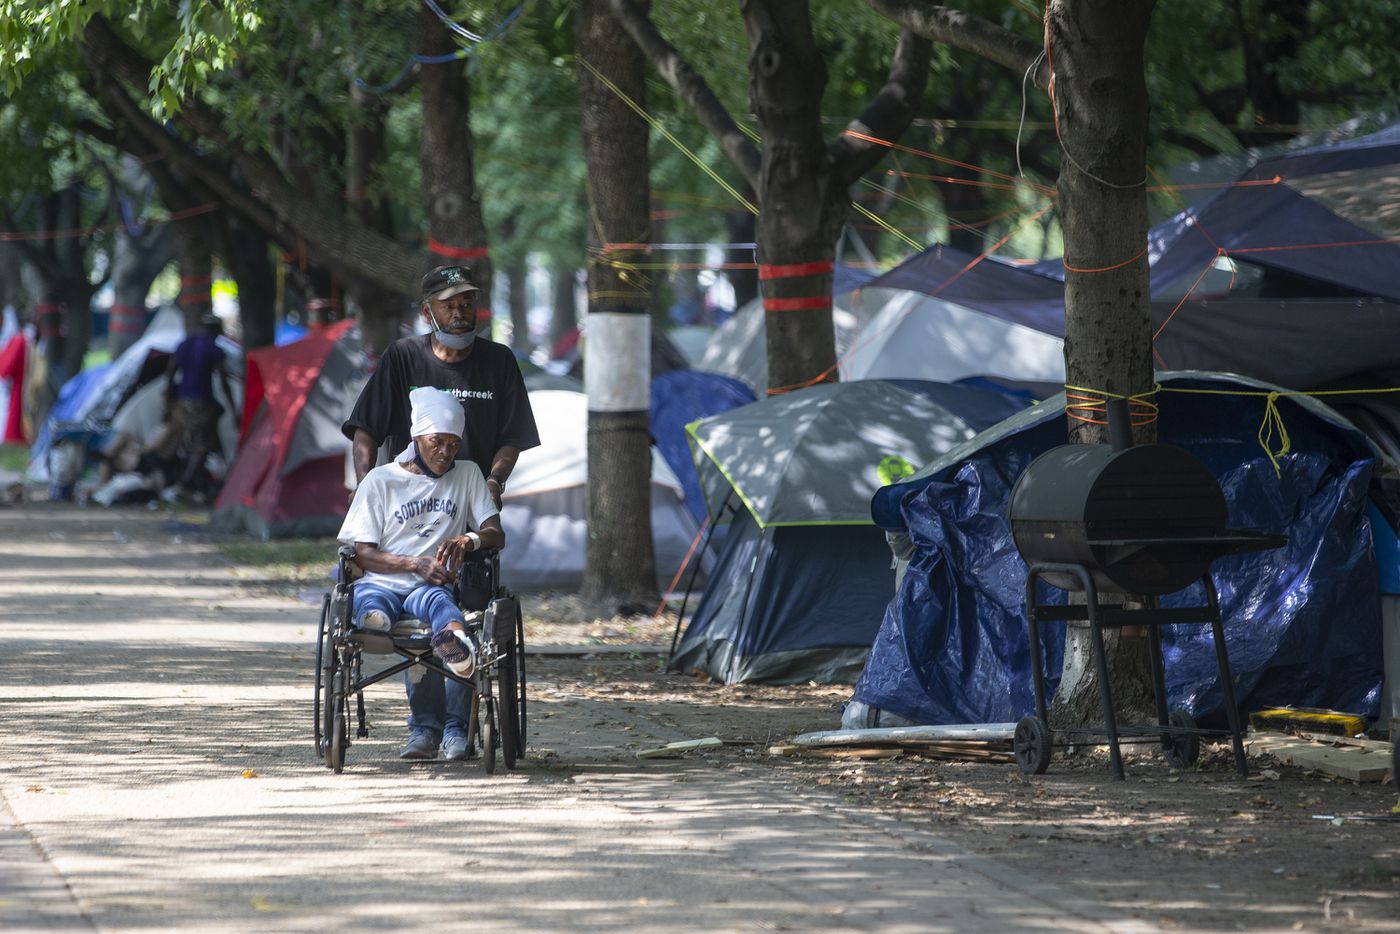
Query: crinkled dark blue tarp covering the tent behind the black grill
<point x="1303" y="622"/>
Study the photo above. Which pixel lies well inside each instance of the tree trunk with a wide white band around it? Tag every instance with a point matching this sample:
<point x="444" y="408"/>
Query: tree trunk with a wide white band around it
<point x="621" y="566"/>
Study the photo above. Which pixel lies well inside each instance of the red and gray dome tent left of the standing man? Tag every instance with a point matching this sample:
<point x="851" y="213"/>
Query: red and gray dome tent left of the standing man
<point x="289" y="475"/>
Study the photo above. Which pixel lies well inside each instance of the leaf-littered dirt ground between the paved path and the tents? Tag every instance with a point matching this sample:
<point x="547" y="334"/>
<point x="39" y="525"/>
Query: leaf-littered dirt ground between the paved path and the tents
<point x="1185" y="851"/>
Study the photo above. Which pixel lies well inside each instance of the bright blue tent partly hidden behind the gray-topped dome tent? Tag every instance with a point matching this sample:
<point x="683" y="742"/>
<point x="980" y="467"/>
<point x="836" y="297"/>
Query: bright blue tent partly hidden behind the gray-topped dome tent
<point x="678" y="398"/>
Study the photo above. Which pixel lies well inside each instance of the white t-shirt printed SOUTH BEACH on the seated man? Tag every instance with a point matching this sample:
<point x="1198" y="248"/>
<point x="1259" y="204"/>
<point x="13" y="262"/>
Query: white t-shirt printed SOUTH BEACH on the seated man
<point x="407" y="513"/>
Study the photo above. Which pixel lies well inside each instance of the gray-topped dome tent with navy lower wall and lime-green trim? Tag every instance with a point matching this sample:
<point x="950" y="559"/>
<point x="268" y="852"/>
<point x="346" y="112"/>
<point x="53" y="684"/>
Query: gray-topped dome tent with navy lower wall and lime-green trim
<point x="804" y="576"/>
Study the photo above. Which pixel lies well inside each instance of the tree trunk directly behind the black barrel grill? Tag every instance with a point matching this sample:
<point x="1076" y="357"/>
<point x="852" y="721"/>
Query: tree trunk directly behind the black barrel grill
<point x="1100" y="95"/>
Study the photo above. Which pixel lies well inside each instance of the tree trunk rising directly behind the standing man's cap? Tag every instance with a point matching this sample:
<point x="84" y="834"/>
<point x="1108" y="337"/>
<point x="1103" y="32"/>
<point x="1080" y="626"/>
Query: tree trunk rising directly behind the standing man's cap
<point x="457" y="233"/>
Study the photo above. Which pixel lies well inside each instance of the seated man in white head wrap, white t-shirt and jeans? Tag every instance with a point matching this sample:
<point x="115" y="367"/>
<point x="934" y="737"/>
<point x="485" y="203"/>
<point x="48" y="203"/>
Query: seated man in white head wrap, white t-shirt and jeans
<point x="412" y="522"/>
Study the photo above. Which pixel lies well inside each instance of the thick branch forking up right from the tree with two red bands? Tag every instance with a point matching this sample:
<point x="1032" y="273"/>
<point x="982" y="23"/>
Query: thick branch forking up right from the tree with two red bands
<point x="888" y="116"/>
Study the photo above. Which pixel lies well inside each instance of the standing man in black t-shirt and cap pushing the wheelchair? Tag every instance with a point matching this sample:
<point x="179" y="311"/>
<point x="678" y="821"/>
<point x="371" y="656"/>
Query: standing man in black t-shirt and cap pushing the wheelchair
<point x="499" y="424"/>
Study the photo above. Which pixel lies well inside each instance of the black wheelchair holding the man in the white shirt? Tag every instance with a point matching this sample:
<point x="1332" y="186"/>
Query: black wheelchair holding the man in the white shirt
<point x="496" y="690"/>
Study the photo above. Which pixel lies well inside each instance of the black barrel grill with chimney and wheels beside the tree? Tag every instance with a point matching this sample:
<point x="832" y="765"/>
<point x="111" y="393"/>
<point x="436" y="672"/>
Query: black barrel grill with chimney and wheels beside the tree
<point x="1143" y="522"/>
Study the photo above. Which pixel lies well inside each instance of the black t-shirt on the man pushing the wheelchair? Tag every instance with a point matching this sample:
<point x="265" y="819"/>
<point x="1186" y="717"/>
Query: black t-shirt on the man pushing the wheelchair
<point x="488" y="384"/>
